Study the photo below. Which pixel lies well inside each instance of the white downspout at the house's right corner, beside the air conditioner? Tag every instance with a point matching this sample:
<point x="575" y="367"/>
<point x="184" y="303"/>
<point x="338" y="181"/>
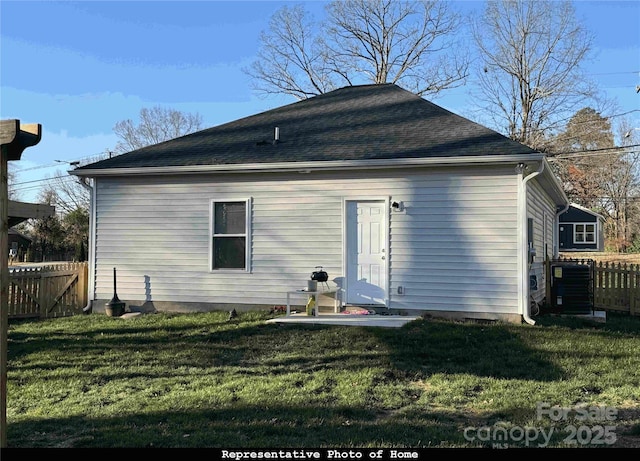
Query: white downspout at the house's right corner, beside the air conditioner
<point x="524" y="248"/>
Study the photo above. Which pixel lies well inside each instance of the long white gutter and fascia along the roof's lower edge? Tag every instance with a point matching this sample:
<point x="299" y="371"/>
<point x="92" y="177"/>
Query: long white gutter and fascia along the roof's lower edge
<point x="312" y="166"/>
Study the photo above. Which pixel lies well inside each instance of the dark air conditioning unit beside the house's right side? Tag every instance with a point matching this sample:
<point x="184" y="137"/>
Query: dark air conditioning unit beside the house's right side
<point x="572" y="288"/>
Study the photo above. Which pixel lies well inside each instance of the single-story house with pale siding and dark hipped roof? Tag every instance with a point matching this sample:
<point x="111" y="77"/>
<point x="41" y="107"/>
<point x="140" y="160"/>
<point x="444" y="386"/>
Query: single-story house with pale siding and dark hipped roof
<point x="409" y="208"/>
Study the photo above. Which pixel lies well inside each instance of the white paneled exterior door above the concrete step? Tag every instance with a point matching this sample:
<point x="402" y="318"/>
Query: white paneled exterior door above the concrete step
<point x="366" y="252"/>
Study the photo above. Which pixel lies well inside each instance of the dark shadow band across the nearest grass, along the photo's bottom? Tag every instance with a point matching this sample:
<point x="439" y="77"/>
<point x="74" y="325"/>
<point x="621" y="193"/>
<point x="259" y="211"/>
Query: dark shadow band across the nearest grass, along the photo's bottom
<point x="294" y="427"/>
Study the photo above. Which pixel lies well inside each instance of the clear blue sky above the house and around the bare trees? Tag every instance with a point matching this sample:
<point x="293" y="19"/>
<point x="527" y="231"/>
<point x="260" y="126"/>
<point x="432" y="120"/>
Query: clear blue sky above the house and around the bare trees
<point x="78" y="68"/>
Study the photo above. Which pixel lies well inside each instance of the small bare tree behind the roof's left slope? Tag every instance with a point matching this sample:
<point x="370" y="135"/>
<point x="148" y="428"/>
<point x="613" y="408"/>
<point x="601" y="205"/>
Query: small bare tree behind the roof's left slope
<point x="156" y="125"/>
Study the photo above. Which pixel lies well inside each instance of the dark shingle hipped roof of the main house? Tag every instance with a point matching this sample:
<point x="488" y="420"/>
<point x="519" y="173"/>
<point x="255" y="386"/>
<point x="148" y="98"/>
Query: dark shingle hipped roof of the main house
<point x="353" y="123"/>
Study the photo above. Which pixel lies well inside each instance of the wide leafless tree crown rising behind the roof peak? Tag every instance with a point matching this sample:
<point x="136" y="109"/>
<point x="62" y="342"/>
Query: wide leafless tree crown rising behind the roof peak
<point x="410" y="43"/>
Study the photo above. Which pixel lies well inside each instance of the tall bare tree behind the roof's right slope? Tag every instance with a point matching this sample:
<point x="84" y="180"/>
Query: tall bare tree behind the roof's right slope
<point x="531" y="52"/>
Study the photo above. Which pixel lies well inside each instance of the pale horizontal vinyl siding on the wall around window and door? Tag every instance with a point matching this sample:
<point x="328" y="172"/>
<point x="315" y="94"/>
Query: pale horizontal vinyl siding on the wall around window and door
<point x="452" y="248"/>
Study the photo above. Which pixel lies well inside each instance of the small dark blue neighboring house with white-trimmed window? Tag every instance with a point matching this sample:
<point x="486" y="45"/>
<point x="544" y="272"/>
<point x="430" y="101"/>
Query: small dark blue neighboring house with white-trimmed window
<point x="580" y="229"/>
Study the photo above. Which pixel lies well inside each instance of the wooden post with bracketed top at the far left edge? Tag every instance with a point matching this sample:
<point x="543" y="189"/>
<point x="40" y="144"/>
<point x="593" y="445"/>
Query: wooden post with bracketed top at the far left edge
<point x="14" y="139"/>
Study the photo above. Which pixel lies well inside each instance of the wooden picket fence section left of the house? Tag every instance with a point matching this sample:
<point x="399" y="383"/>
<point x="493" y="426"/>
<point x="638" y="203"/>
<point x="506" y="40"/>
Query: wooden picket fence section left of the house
<point x="57" y="290"/>
